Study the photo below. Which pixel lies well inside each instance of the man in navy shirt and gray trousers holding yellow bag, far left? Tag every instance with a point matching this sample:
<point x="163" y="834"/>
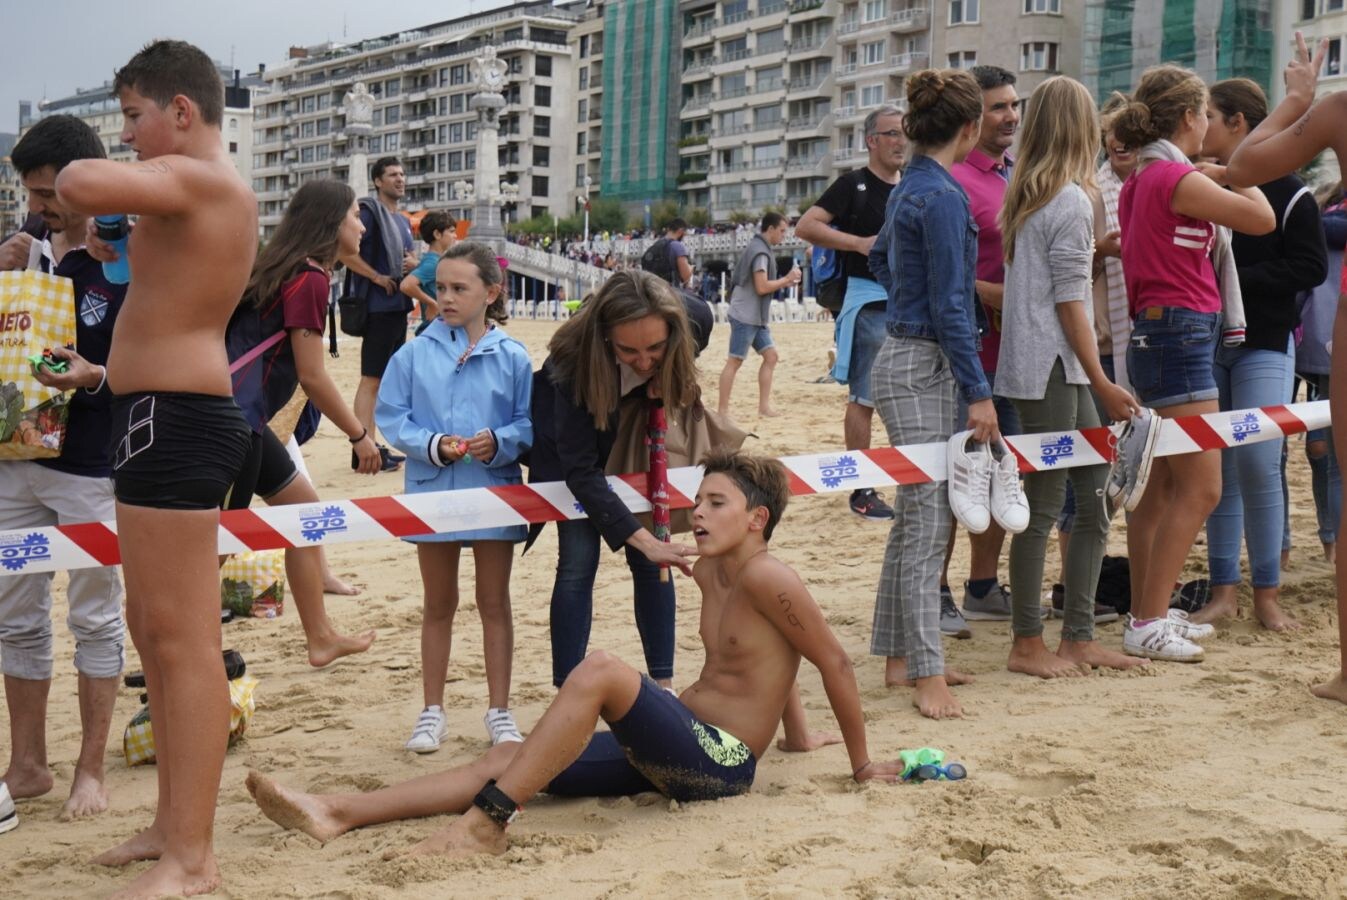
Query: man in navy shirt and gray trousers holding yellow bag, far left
<point x="75" y="487"/>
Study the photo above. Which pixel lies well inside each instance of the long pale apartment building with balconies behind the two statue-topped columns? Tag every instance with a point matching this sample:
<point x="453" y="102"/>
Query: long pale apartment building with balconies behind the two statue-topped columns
<point x="422" y="84"/>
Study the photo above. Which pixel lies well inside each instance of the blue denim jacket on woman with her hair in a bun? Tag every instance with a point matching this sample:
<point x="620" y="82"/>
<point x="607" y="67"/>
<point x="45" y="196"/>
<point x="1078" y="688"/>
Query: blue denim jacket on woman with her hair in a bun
<point x="926" y="258"/>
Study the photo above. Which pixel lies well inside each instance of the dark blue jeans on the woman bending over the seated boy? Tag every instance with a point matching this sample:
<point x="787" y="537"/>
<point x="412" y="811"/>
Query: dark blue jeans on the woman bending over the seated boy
<point x="573" y="603"/>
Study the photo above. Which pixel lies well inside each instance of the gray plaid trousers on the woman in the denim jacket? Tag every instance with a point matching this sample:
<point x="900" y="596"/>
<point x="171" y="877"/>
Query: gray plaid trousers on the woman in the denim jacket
<point x="915" y="397"/>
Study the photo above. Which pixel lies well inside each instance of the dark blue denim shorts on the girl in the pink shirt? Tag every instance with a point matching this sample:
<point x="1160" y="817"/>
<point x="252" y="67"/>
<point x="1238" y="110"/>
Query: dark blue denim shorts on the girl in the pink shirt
<point x="1171" y="356"/>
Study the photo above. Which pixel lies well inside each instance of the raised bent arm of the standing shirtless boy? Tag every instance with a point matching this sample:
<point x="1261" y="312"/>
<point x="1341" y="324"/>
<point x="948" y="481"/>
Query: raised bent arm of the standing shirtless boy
<point x="160" y="187"/>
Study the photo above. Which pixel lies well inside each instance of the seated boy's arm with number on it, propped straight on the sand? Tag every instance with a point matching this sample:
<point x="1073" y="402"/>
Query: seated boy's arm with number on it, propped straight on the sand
<point x="781" y="598"/>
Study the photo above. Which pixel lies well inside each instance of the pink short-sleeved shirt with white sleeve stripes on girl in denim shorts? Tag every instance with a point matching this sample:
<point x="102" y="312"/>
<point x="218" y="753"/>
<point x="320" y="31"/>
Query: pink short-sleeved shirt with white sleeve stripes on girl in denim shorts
<point x="1166" y="257"/>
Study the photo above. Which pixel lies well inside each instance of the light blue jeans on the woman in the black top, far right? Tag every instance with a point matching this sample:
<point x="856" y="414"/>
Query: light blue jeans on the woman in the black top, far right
<point x="1251" y="498"/>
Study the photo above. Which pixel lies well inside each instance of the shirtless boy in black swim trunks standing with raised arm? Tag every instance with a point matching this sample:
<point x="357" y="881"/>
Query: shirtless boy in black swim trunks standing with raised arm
<point x="178" y="437"/>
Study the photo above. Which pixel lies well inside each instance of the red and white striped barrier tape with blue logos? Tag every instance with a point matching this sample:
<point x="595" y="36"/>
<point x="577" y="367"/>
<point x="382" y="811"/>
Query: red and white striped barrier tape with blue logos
<point x="83" y="546"/>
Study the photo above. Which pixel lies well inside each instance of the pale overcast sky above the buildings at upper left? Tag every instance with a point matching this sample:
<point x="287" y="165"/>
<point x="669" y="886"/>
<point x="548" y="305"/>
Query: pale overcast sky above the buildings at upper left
<point x="56" y="46"/>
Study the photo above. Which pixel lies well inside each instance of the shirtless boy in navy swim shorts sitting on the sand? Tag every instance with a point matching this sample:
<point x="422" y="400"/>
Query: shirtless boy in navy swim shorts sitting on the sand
<point x="758" y="622"/>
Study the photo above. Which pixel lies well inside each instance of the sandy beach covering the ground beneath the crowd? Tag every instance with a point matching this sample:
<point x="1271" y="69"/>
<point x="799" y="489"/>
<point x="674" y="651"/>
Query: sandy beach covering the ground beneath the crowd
<point x="1222" y="779"/>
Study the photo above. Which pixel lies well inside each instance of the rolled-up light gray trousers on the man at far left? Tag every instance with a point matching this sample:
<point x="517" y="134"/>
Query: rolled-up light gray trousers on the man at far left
<point x="33" y="496"/>
